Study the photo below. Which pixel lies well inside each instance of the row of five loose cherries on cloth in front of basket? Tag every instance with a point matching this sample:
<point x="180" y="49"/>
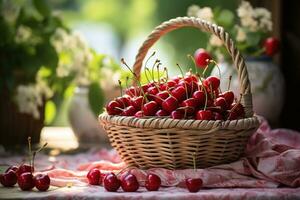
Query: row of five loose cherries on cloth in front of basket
<point x="129" y="183"/>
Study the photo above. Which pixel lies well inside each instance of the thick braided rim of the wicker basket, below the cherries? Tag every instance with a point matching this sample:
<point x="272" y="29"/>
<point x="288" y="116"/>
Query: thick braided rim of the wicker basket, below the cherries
<point x="165" y="123"/>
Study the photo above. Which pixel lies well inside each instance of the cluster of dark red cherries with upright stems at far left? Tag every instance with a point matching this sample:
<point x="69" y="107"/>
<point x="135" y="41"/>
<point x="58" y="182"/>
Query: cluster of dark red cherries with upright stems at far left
<point x="23" y="175"/>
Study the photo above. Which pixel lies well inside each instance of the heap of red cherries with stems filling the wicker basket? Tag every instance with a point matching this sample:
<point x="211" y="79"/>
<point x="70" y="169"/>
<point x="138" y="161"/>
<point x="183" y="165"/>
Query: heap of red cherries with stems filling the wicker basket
<point x="189" y="96"/>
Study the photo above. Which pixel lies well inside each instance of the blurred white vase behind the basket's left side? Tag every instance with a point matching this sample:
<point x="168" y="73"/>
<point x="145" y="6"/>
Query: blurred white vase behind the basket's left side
<point x="83" y="121"/>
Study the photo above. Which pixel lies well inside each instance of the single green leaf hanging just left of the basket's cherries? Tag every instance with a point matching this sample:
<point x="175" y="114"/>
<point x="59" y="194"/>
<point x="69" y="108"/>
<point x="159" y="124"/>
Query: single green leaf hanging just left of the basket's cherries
<point x="96" y="98"/>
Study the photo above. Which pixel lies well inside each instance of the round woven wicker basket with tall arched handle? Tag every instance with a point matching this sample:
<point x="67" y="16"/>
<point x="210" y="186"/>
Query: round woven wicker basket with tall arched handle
<point x="171" y="143"/>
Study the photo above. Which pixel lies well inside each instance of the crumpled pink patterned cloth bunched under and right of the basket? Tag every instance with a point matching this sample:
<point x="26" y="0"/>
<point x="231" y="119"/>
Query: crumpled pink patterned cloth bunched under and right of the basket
<point x="272" y="158"/>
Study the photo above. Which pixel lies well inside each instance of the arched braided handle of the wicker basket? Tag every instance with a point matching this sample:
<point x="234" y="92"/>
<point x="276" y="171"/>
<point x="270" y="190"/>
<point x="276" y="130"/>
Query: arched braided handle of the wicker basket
<point x="205" y="26"/>
